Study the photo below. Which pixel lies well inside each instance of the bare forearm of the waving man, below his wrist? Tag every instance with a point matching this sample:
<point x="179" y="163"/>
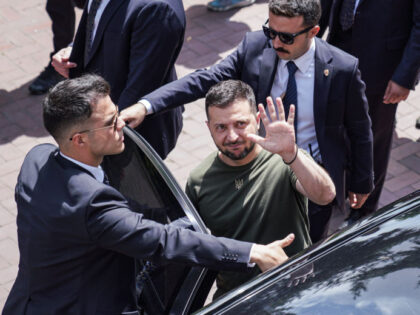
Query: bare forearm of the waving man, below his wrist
<point x="313" y="180"/>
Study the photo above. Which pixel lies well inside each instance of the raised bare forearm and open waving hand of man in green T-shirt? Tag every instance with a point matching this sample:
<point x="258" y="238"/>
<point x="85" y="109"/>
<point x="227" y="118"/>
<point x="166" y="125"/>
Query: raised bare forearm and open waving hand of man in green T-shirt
<point x="313" y="181"/>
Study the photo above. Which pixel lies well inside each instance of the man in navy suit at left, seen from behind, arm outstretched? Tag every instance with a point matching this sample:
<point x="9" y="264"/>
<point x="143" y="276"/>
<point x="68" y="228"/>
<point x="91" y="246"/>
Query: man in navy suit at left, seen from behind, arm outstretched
<point x="78" y="238"/>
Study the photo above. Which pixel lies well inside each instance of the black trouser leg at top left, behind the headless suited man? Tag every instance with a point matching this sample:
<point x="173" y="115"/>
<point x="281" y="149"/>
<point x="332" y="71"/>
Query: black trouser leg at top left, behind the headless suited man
<point x="63" y="20"/>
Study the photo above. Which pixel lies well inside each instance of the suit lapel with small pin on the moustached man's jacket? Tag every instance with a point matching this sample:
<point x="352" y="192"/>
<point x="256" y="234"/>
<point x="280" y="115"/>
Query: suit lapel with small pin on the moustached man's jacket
<point x="323" y="74"/>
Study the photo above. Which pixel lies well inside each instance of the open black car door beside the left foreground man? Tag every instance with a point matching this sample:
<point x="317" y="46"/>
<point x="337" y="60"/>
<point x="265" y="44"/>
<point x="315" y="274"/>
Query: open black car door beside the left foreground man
<point x="142" y="177"/>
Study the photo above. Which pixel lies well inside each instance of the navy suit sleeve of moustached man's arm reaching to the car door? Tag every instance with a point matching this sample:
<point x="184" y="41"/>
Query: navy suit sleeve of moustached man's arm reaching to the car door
<point x="195" y="85"/>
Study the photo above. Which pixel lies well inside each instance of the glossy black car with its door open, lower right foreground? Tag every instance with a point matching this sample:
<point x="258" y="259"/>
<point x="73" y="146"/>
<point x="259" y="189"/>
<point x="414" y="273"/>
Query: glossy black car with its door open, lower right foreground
<point x="371" y="267"/>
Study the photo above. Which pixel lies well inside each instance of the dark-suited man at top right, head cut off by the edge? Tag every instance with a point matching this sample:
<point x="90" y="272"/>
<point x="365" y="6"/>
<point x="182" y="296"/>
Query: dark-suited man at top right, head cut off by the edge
<point x="385" y="37"/>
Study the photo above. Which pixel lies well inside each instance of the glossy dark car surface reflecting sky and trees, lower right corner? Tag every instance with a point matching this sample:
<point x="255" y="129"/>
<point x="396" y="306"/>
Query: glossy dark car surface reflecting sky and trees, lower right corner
<point x="377" y="272"/>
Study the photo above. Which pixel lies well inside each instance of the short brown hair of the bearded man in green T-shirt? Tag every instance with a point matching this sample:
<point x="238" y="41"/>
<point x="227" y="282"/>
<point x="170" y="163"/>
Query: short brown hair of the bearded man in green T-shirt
<point x="225" y="93"/>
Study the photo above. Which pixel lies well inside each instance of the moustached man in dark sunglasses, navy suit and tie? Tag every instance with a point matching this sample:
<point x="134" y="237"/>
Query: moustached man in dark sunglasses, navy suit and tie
<point x="332" y="119"/>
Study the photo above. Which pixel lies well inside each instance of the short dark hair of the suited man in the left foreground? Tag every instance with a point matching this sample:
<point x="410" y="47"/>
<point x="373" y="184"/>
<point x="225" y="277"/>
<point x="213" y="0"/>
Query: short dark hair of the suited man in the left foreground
<point x="69" y="103"/>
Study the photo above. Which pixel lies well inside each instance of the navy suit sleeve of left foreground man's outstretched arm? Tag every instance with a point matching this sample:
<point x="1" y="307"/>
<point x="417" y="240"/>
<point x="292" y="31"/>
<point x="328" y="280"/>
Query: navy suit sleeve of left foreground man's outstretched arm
<point x="112" y="225"/>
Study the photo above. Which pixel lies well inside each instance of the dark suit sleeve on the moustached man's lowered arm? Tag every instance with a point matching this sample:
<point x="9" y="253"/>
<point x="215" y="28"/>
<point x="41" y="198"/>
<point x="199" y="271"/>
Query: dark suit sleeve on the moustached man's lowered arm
<point x="359" y="132"/>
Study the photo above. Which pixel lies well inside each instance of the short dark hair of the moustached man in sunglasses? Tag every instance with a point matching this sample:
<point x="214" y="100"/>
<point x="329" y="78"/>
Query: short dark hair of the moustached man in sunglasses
<point x="309" y="9"/>
